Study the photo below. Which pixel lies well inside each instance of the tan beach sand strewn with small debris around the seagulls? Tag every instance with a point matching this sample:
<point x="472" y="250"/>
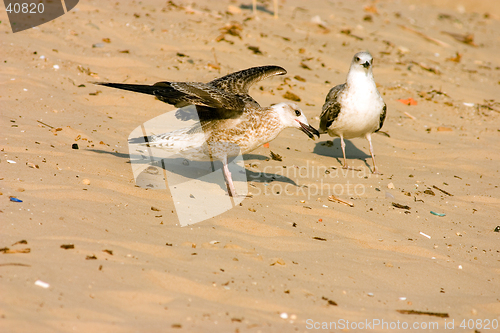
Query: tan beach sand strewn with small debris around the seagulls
<point x="279" y="262"/>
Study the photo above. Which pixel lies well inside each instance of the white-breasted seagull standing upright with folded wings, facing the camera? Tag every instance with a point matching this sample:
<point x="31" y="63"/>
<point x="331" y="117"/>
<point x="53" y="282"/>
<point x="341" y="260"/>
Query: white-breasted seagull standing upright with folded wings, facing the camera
<point x="355" y="108"/>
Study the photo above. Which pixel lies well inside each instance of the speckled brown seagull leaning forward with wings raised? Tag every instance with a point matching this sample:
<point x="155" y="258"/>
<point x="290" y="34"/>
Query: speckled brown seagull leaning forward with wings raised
<point x="231" y="121"/>
